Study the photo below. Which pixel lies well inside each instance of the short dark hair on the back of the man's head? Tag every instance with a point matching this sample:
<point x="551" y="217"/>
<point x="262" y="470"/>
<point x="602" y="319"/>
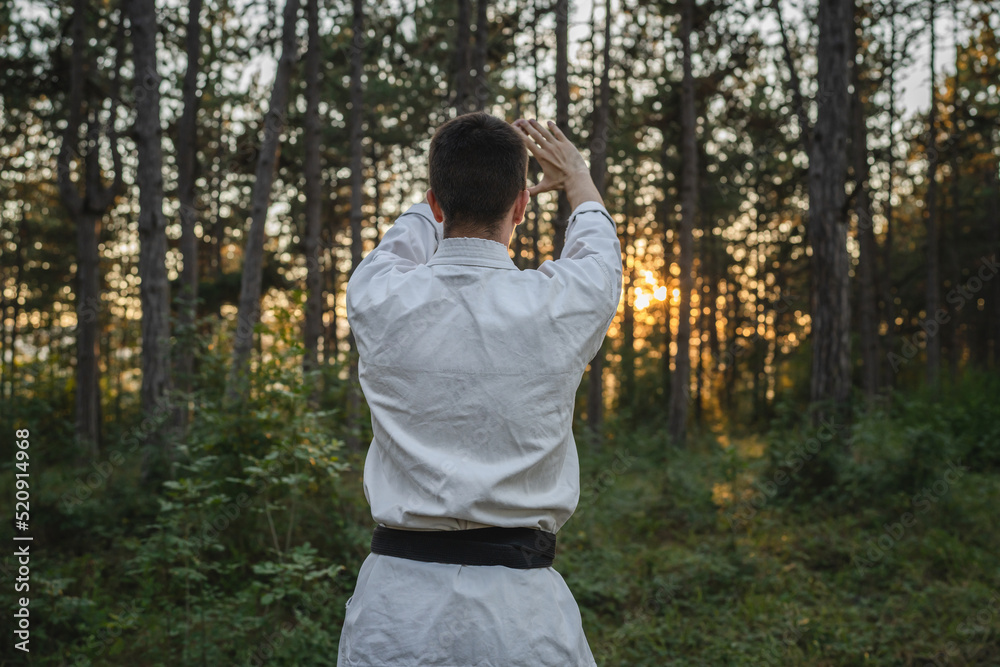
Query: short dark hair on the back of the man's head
<point x="478" y="167"/>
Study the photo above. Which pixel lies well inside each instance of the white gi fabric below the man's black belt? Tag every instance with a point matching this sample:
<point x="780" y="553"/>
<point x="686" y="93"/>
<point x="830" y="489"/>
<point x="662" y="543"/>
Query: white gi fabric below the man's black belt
<point x="407" y="613"/>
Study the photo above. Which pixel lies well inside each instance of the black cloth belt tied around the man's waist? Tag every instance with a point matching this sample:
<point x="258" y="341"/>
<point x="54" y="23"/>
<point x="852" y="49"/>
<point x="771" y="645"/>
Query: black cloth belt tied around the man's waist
<point x="520" y="548"/>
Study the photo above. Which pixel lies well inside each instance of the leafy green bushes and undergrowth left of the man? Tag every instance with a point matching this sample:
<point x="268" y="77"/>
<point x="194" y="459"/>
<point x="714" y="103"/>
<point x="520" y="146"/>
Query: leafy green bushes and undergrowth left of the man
<point x="243" y="554"/>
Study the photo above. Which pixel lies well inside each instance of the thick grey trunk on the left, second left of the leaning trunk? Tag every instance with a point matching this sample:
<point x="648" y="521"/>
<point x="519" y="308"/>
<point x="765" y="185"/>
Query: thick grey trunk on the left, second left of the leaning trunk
<point x="154" y="286"/>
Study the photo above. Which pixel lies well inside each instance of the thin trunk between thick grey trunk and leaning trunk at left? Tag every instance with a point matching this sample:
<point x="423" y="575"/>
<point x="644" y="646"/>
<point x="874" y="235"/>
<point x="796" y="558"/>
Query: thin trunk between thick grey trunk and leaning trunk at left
<point x="187" y="147"/>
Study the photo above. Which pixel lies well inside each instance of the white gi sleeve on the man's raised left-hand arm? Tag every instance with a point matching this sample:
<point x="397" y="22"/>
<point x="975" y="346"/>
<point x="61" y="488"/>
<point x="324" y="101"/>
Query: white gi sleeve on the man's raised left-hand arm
<point x="409" y="243"/>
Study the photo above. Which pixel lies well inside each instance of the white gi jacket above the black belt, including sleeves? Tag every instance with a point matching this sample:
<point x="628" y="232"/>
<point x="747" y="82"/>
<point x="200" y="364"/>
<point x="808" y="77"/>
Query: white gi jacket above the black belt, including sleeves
<point x="470" y="368"/>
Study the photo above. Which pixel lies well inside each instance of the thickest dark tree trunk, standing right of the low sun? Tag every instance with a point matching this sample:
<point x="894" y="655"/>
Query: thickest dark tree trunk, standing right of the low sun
<point x="831" y="360"/>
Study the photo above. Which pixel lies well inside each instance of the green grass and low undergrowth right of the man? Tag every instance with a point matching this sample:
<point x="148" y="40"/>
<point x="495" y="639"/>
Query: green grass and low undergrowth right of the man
<point x="691" y="557"/>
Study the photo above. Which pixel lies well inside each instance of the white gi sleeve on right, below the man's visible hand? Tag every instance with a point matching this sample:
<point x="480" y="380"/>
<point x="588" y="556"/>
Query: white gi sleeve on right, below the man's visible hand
<point x="590" y="266"/>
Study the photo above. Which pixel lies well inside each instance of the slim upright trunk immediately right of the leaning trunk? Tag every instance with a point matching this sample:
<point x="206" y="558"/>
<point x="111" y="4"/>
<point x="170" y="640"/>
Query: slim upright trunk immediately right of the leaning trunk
<point x="313" y="327"/>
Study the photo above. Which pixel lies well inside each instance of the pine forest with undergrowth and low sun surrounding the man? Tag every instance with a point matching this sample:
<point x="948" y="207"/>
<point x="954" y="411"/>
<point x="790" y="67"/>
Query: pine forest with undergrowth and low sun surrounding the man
<point x="789" y="439"/>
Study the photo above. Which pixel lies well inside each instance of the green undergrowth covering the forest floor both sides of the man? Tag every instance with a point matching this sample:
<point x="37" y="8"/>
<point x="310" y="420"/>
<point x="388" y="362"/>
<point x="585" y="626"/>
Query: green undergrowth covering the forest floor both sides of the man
<point x="880" y="549"/>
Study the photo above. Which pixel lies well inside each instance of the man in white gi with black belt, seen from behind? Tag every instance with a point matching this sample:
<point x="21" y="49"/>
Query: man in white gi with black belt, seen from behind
<point x="470" y="368"/>
